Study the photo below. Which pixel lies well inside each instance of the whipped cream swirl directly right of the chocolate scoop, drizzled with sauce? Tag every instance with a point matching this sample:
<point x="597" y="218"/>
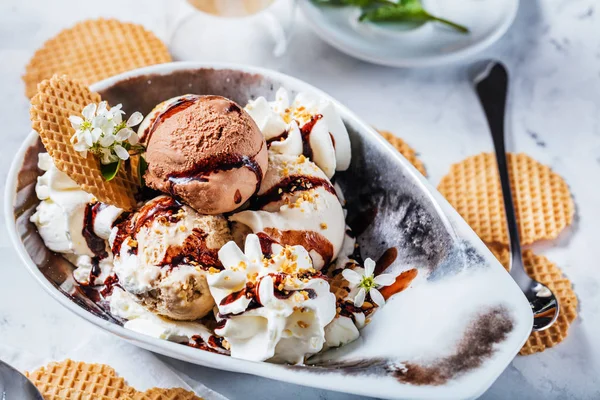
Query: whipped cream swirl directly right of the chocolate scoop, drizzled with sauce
<point x="309" y="125"/>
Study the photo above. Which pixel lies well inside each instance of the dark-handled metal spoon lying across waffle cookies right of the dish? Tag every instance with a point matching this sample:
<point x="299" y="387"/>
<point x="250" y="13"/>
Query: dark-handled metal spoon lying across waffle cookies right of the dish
<point x="491" y="84"/>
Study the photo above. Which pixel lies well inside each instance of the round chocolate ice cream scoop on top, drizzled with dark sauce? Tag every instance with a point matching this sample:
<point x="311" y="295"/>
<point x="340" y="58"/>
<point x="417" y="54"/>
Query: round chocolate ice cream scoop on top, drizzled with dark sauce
<point x="205" y="150"/>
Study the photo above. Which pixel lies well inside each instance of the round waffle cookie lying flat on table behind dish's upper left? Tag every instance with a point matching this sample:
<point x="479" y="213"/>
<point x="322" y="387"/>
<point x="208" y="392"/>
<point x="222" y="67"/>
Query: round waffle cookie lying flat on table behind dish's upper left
<point x="93" y="50"/>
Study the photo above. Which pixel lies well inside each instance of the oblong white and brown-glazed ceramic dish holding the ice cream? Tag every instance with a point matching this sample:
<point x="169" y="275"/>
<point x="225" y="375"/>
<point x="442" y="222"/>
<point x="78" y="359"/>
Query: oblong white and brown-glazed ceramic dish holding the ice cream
<point x="449" y="335"/>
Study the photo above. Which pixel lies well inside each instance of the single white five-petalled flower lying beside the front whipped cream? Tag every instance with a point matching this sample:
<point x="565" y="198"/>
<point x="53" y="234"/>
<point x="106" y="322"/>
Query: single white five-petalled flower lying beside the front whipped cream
<point x="365" y="281"/>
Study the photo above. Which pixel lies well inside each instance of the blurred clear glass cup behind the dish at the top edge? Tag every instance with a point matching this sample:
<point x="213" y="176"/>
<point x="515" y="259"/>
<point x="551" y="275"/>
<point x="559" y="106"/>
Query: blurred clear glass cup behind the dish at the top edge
<point x="254" y="32"/>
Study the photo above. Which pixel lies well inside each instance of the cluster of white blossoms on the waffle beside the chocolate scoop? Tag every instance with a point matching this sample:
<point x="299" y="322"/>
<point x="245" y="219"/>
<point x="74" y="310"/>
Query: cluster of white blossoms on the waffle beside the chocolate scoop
<point x="102" y="131"/>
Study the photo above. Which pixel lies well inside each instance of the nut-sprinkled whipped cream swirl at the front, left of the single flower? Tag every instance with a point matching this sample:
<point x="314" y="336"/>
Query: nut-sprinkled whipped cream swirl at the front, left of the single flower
<point x="272" y="308"/>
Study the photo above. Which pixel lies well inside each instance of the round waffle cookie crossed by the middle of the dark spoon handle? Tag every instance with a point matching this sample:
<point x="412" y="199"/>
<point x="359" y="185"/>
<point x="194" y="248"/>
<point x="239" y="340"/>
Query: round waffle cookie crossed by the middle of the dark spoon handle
<point x="542" y="198"/>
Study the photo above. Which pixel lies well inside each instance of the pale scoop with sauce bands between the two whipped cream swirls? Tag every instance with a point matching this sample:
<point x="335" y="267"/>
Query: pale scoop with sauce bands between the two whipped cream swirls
<point x="297" y="205"/>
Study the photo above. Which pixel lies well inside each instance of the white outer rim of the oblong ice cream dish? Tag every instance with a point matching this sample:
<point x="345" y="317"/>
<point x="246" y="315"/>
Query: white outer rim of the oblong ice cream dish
<point x="217" y="361"/>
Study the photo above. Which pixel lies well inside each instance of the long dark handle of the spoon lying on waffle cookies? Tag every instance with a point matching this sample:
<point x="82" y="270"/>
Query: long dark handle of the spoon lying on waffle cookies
<point x="492" y="89"/>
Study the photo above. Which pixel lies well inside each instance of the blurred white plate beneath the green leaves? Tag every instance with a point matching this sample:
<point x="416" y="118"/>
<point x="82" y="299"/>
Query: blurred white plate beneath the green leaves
<point x="428" y="45"/>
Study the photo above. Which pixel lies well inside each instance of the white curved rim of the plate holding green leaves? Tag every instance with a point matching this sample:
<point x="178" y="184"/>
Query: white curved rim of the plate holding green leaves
<point x="432" y="61"/>
